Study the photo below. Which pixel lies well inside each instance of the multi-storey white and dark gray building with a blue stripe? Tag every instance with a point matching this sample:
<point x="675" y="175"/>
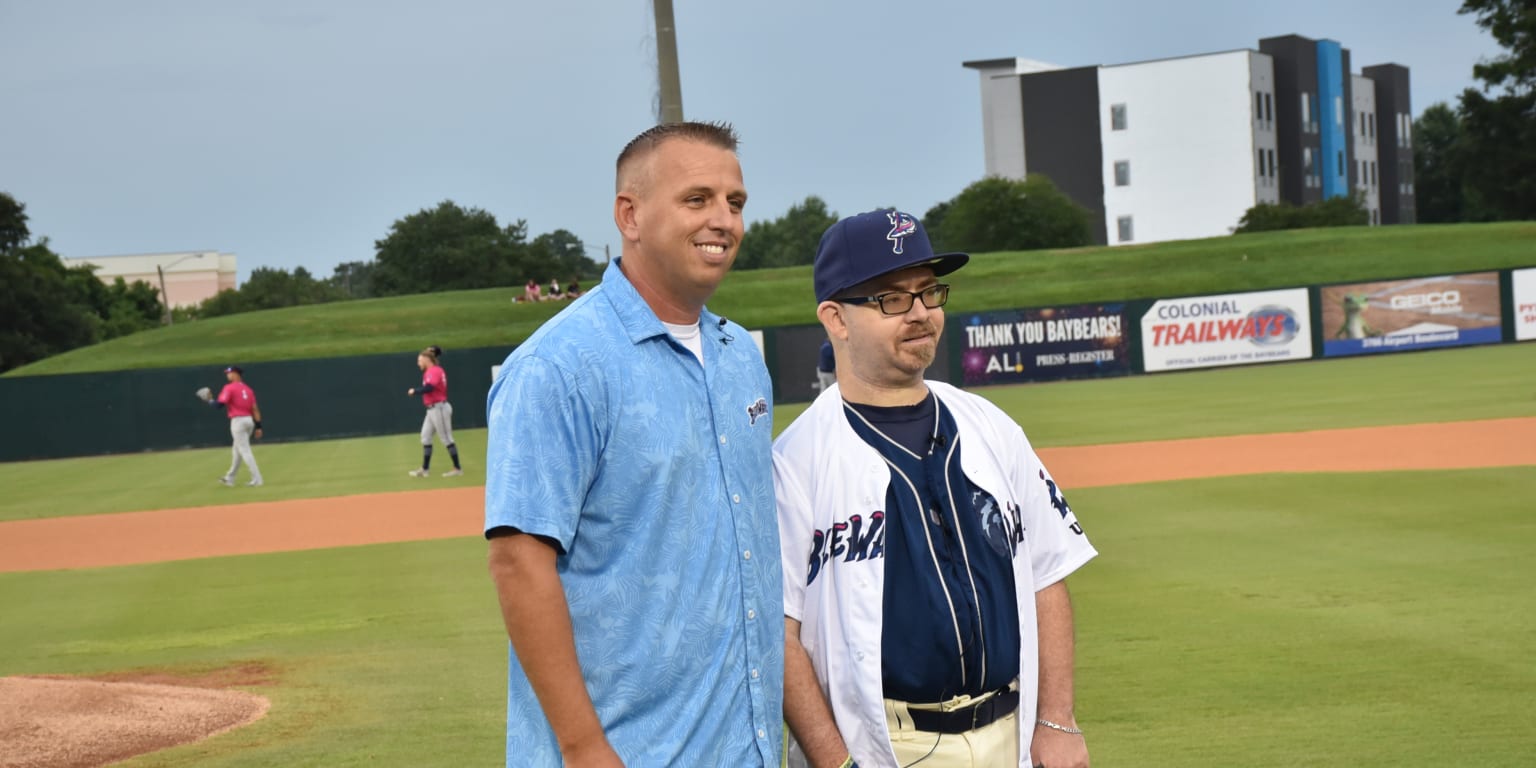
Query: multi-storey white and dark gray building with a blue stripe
<point x="1182" y="148"/>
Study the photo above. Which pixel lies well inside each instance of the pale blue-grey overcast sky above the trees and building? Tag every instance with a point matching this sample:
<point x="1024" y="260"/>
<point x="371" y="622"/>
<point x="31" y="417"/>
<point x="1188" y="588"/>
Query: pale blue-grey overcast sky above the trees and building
<point x="296" y="133"/>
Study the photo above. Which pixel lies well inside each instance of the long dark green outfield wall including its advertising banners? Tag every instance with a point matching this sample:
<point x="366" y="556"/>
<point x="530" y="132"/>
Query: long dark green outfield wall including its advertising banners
<point x="302" y="400"/>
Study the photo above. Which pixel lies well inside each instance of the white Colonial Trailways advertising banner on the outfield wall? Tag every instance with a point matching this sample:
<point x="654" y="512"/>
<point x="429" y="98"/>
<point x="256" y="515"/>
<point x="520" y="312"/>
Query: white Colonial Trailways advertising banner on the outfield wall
<point x="1234" y="329"/>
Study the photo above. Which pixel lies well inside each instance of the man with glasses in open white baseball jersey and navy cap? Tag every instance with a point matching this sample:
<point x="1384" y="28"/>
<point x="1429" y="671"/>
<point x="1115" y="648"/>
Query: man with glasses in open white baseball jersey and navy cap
<point x="924" y="543"/>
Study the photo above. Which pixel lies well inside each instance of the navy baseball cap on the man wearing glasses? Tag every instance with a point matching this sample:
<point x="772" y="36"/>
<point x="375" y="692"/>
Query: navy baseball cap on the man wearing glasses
<point x="872" y="245"/>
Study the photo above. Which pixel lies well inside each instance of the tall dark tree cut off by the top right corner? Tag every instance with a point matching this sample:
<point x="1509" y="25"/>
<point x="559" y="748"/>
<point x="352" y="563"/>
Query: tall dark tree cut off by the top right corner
<point x="1500" y="121"/>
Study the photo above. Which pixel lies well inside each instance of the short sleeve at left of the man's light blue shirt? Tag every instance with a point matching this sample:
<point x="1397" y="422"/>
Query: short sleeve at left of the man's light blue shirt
<point x="541" y="451"/>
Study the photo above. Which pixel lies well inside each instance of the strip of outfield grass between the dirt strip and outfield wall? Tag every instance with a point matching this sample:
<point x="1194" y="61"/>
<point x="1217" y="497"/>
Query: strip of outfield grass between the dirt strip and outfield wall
<point x="1354" y="392"/>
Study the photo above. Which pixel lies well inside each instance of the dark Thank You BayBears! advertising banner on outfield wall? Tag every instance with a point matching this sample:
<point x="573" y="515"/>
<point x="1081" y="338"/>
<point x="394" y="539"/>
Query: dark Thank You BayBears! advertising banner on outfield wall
<point x="1044" y="345"/>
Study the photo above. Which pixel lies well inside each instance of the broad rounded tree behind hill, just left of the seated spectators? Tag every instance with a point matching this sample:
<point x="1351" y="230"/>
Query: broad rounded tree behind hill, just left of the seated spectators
<point x="449" y="248"/>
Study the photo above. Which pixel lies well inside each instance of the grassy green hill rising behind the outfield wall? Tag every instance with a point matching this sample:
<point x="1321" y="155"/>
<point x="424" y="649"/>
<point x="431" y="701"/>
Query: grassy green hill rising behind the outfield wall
<point x="783" y="297"/>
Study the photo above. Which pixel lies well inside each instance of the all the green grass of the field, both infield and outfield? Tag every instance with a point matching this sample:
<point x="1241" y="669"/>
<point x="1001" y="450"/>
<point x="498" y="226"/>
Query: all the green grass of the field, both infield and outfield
<point x="1270" y="621"/>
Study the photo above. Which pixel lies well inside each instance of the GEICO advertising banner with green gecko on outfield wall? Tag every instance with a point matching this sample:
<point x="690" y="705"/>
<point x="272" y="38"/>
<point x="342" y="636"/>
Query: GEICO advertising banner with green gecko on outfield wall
<point x="1397" y="316"/>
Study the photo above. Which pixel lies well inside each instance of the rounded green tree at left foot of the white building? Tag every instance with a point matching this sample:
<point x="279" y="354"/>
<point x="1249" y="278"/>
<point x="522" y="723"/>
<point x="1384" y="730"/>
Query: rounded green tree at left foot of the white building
<point x="1007" y="214"/>
